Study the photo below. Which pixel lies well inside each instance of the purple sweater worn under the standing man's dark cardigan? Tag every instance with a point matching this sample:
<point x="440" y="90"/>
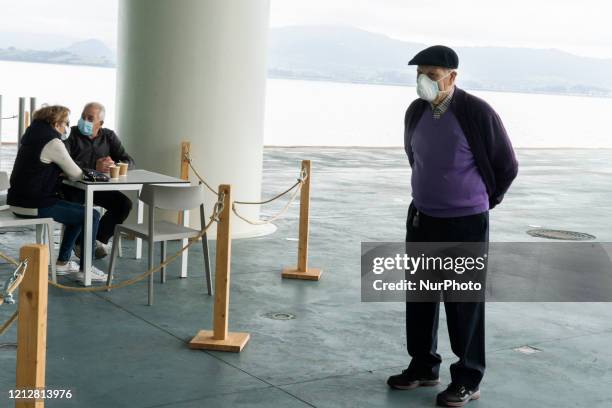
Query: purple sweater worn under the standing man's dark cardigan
<point x="445" y="179"/>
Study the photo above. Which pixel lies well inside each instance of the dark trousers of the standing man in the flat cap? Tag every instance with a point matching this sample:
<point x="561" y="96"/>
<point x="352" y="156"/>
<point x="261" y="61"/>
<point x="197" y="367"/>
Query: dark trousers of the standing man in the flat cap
<point x="465" y="320"/>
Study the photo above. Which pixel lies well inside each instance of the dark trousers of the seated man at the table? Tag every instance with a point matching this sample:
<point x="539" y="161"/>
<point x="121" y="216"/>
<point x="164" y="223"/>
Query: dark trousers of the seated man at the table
<point x="116" y="204"/>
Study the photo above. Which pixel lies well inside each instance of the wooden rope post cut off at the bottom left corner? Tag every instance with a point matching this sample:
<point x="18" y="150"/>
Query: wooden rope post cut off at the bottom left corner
<point x="32" y="324"/>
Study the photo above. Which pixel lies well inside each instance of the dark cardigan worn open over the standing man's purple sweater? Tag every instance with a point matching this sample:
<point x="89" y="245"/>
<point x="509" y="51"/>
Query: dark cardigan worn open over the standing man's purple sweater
<point x="485" y="134"/>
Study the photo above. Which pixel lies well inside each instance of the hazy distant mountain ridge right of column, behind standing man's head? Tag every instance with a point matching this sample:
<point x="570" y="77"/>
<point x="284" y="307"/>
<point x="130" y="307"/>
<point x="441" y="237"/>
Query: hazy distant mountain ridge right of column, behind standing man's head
<point x="352" y="55"/>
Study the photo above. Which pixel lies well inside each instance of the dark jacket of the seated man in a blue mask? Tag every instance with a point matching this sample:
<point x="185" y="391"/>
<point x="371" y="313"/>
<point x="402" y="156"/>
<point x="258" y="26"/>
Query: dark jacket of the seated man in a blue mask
<point x="85" y="151"/>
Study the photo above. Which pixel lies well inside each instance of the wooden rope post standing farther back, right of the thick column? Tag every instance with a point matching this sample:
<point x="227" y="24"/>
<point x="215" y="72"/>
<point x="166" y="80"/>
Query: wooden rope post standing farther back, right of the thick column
<point x="302" y="271"/>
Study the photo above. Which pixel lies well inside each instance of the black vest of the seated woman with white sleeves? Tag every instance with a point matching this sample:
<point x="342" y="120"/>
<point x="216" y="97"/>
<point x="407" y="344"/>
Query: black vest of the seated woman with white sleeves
<point x="34" y="184"/>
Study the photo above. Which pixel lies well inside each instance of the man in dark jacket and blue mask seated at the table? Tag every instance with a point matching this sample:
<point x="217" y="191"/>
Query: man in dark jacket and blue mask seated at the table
<point x="94" y="147"/>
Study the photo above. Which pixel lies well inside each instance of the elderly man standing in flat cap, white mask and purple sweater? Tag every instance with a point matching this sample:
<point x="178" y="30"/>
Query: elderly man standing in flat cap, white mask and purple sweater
<point x="462" y="165"/>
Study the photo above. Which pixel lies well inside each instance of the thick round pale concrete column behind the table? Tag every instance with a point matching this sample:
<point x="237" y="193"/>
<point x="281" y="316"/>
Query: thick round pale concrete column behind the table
<point x="196" y="70"/>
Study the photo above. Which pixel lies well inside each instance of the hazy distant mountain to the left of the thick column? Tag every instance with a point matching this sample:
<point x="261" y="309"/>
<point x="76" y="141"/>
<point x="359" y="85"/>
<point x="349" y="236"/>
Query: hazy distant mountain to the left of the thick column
<point x="88" y="52"/>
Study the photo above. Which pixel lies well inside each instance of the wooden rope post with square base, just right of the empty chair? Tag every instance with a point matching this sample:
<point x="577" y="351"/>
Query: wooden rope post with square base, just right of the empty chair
<point x="219" y="338"/>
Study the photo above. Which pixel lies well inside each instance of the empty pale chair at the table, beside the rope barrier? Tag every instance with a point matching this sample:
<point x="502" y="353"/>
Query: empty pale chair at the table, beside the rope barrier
<point x="177" y="198"/>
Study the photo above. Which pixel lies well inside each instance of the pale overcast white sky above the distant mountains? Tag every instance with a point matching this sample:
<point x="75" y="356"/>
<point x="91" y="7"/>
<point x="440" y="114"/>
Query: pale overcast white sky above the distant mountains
<point x="580" y="27"/>
